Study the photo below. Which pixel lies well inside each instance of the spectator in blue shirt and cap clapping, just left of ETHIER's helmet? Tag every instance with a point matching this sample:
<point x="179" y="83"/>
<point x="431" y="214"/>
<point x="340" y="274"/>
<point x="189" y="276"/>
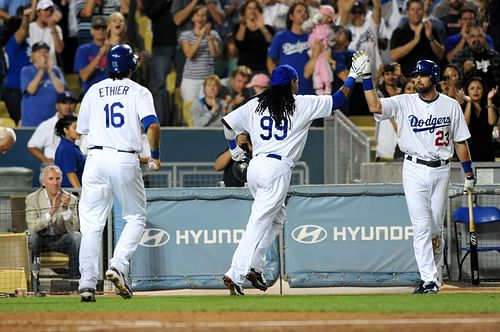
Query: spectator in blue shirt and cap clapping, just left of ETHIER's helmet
<point x="90" y="58"/>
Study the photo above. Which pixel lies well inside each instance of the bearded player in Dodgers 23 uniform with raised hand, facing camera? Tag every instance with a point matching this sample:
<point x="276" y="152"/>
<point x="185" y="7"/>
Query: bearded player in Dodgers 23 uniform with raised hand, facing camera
<point x="430" y="127"/>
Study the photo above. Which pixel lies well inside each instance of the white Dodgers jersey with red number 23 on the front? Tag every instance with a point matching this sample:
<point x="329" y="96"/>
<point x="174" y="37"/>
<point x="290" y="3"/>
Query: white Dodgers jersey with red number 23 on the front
<point x="427" y="130"/>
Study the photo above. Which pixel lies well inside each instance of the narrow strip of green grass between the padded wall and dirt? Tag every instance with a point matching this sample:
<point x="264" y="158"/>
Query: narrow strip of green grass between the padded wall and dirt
<point x="444" y="303"/>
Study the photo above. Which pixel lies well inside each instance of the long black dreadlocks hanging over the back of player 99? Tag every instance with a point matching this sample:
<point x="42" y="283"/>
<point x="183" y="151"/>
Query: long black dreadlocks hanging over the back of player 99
<point x="280" y="102"/>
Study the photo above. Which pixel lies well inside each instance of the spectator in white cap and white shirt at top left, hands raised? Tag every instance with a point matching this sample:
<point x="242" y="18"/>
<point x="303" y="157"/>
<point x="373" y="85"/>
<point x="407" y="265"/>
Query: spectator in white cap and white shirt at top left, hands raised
<point x="44" y="29"/>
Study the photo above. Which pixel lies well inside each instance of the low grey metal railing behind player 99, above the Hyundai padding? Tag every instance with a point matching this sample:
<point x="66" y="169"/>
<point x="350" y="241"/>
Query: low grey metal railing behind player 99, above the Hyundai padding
<point x="202" y="174"/>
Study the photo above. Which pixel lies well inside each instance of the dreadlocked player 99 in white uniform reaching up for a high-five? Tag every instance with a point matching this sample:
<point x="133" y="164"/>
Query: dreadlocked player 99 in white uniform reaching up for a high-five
<point x="278" y="122"/>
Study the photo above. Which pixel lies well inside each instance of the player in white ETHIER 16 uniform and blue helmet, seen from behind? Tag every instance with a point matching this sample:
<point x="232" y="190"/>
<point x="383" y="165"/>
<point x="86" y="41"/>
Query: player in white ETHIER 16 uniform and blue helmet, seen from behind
<point x="111" y="114"/>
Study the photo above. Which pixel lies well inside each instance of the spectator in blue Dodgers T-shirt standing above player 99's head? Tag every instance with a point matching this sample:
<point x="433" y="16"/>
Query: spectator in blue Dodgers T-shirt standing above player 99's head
<point x="290" y="46"/>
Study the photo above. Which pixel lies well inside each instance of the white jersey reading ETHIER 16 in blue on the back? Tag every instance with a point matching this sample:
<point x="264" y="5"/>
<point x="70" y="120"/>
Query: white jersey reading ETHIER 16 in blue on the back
<point x="111" y="111"/>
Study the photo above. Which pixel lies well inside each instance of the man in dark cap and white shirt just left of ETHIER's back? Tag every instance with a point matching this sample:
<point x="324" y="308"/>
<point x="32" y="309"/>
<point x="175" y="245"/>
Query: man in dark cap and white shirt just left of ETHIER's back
<point x="44" y="141"/>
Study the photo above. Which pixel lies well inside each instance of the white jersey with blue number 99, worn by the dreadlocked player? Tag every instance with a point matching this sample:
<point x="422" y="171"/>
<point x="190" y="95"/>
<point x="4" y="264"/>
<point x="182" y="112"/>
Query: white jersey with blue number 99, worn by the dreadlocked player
<point x="287" y="140"/>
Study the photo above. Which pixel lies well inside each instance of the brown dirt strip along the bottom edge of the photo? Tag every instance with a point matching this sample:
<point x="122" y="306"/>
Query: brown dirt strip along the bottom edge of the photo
<point x="240" y="321"/>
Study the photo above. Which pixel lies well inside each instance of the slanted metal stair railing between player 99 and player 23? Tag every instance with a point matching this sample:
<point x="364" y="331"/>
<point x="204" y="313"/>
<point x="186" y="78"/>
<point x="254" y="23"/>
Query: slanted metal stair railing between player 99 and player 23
<point x="345" y="148"/>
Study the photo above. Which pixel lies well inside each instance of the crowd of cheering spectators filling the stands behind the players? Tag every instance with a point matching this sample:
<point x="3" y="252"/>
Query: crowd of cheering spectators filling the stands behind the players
<point x="218" y="50"/>
